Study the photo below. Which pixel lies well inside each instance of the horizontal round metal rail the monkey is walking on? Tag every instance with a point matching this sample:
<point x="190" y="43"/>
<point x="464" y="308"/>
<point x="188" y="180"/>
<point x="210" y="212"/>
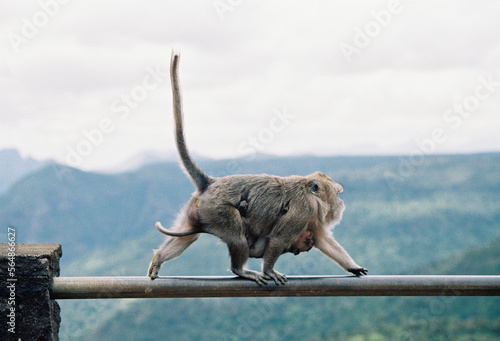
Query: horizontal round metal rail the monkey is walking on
<point x="144" y="287"/>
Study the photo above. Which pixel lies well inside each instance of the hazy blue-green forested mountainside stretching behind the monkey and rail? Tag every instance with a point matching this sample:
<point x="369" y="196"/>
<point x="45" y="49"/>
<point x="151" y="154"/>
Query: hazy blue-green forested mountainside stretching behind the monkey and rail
<point x="401" y="215"/>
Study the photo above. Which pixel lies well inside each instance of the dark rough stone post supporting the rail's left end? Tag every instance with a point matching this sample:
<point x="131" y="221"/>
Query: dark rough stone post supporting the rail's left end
<point x="26" y="310"/>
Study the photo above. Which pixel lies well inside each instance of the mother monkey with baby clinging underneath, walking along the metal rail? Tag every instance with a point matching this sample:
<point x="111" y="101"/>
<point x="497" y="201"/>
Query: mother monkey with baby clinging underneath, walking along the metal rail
<point x="259" y="216"/>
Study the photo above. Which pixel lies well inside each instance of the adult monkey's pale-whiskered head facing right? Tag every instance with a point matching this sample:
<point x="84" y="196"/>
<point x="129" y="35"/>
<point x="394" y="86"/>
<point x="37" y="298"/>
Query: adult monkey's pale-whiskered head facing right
<point x="326" y="192"/>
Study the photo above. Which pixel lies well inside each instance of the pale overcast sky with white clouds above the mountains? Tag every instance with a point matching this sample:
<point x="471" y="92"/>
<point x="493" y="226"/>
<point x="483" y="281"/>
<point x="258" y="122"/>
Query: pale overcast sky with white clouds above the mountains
<point x="86" y="82"/>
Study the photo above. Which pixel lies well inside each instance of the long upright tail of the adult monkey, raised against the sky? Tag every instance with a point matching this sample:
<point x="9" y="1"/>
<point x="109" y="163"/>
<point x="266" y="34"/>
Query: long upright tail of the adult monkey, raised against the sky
<point x="198" y="176"/>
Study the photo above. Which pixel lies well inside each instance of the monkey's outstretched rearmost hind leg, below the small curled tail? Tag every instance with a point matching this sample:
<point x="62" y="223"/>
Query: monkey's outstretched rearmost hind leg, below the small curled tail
<point x="172" y="247"/>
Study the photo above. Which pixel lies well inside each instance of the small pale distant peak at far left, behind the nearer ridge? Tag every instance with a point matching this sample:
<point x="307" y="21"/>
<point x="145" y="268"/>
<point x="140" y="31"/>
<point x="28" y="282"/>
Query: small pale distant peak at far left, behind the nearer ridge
<point x="14" y="167"/>
